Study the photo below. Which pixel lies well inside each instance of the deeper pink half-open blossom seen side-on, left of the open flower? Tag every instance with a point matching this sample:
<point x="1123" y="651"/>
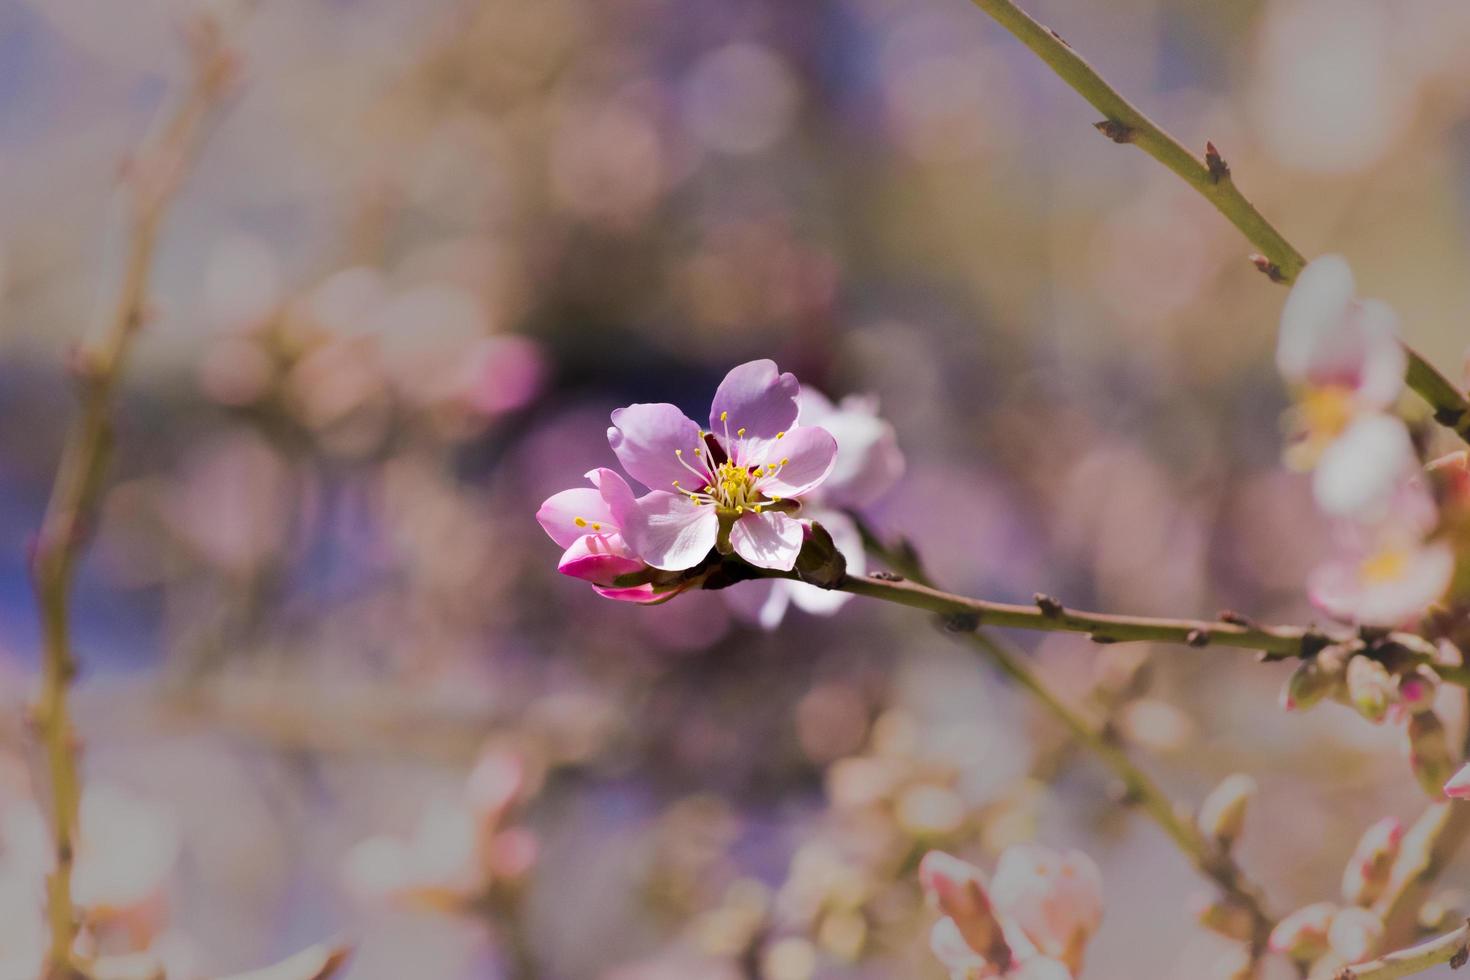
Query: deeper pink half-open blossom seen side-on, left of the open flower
<point x="589" y="522"/>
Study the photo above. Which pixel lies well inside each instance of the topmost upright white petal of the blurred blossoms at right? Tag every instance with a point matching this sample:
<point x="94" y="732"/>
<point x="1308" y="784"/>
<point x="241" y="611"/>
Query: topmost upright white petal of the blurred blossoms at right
<point x="1316" y="342"/>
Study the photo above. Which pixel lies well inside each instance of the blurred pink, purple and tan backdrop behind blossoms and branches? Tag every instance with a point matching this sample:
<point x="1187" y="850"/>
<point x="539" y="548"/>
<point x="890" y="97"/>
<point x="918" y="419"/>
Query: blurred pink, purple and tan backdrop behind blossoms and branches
<point x="333" y="684"/>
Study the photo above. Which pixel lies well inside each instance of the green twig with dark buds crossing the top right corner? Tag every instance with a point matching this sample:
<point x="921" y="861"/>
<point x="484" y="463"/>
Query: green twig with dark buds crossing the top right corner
<point x="1212" y="179"/>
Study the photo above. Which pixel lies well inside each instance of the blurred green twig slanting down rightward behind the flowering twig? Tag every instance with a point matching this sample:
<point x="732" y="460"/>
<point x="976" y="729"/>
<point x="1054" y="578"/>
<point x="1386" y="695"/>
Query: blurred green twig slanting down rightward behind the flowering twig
<point x="1209" y="860"/>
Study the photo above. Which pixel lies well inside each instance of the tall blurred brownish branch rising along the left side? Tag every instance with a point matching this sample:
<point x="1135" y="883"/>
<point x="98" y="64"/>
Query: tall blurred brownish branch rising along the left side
<point x="152" y="181"/>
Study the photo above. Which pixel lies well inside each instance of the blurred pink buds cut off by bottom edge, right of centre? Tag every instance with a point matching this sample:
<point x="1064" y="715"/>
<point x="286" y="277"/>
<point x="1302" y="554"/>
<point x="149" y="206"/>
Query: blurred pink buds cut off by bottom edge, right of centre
<point x="1033" y="922"/>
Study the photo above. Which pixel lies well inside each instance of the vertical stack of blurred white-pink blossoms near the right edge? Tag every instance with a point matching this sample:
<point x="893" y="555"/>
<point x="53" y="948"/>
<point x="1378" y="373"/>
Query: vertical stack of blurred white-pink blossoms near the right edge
<point x="1344" y="359"/>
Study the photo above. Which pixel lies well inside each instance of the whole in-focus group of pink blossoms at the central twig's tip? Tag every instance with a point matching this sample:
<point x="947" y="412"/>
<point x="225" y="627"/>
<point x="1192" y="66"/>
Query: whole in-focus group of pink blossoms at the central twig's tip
<point x="750" y="486"/>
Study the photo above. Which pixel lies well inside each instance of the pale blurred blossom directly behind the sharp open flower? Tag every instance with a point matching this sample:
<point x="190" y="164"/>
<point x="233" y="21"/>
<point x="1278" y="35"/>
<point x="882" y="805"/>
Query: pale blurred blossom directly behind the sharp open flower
<point x="868" y="465"/>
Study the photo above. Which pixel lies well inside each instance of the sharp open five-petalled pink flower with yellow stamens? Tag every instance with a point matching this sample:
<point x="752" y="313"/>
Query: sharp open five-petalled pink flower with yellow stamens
<point x="733" y="487"/>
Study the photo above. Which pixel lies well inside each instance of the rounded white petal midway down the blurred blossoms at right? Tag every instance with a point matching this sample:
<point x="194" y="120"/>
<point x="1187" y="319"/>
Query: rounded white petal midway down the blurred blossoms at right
<point x="1360" y="471"/>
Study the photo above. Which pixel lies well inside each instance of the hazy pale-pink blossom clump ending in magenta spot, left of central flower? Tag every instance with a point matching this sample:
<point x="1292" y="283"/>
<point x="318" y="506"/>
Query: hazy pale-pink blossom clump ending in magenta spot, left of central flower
<point x="356" y="355"/>
